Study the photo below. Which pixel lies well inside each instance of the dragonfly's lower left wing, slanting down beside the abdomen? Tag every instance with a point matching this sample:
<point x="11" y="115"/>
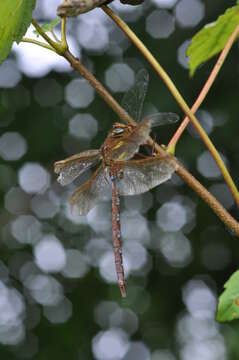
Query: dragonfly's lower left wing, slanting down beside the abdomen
<point x="93" y="190"/>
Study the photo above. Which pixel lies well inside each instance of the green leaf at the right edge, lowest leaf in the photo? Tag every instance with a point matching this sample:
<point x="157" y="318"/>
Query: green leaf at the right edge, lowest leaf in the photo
<point x="228" y="306"/>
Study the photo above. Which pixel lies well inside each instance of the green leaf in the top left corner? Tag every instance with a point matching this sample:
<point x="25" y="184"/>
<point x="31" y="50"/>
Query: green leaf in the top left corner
<point x="14" y="20"/>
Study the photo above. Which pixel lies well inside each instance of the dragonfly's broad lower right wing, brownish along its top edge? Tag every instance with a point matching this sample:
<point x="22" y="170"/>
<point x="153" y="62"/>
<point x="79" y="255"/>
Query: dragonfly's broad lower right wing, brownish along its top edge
<point x="139" y="176"/>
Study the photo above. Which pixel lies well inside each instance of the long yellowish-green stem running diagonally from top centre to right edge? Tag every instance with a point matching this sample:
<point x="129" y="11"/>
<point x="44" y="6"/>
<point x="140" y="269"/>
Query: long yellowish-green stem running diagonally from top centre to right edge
<point x="174" y="91"/>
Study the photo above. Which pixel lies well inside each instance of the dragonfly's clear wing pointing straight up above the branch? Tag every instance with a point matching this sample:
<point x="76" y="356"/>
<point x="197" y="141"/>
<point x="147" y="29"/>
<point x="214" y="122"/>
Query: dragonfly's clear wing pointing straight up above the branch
<point x="133" y="100"/>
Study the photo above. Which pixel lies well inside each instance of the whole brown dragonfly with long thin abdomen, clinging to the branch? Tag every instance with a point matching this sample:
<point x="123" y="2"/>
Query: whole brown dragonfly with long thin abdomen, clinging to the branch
<point x="120" y="165"/>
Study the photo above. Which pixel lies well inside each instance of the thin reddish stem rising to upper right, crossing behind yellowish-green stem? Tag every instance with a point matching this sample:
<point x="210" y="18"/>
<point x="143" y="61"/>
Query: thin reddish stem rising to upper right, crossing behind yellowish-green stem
<point x="206" y="88"/>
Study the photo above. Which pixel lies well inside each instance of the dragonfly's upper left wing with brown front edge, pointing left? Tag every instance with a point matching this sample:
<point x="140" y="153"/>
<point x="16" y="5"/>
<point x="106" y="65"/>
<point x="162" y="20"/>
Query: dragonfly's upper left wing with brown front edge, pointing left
<point x="70" y="168"/>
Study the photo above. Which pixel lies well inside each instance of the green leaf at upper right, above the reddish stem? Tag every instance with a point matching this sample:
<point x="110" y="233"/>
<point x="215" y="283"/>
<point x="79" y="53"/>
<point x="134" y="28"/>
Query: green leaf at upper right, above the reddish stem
<point x="212" y="38"/>
